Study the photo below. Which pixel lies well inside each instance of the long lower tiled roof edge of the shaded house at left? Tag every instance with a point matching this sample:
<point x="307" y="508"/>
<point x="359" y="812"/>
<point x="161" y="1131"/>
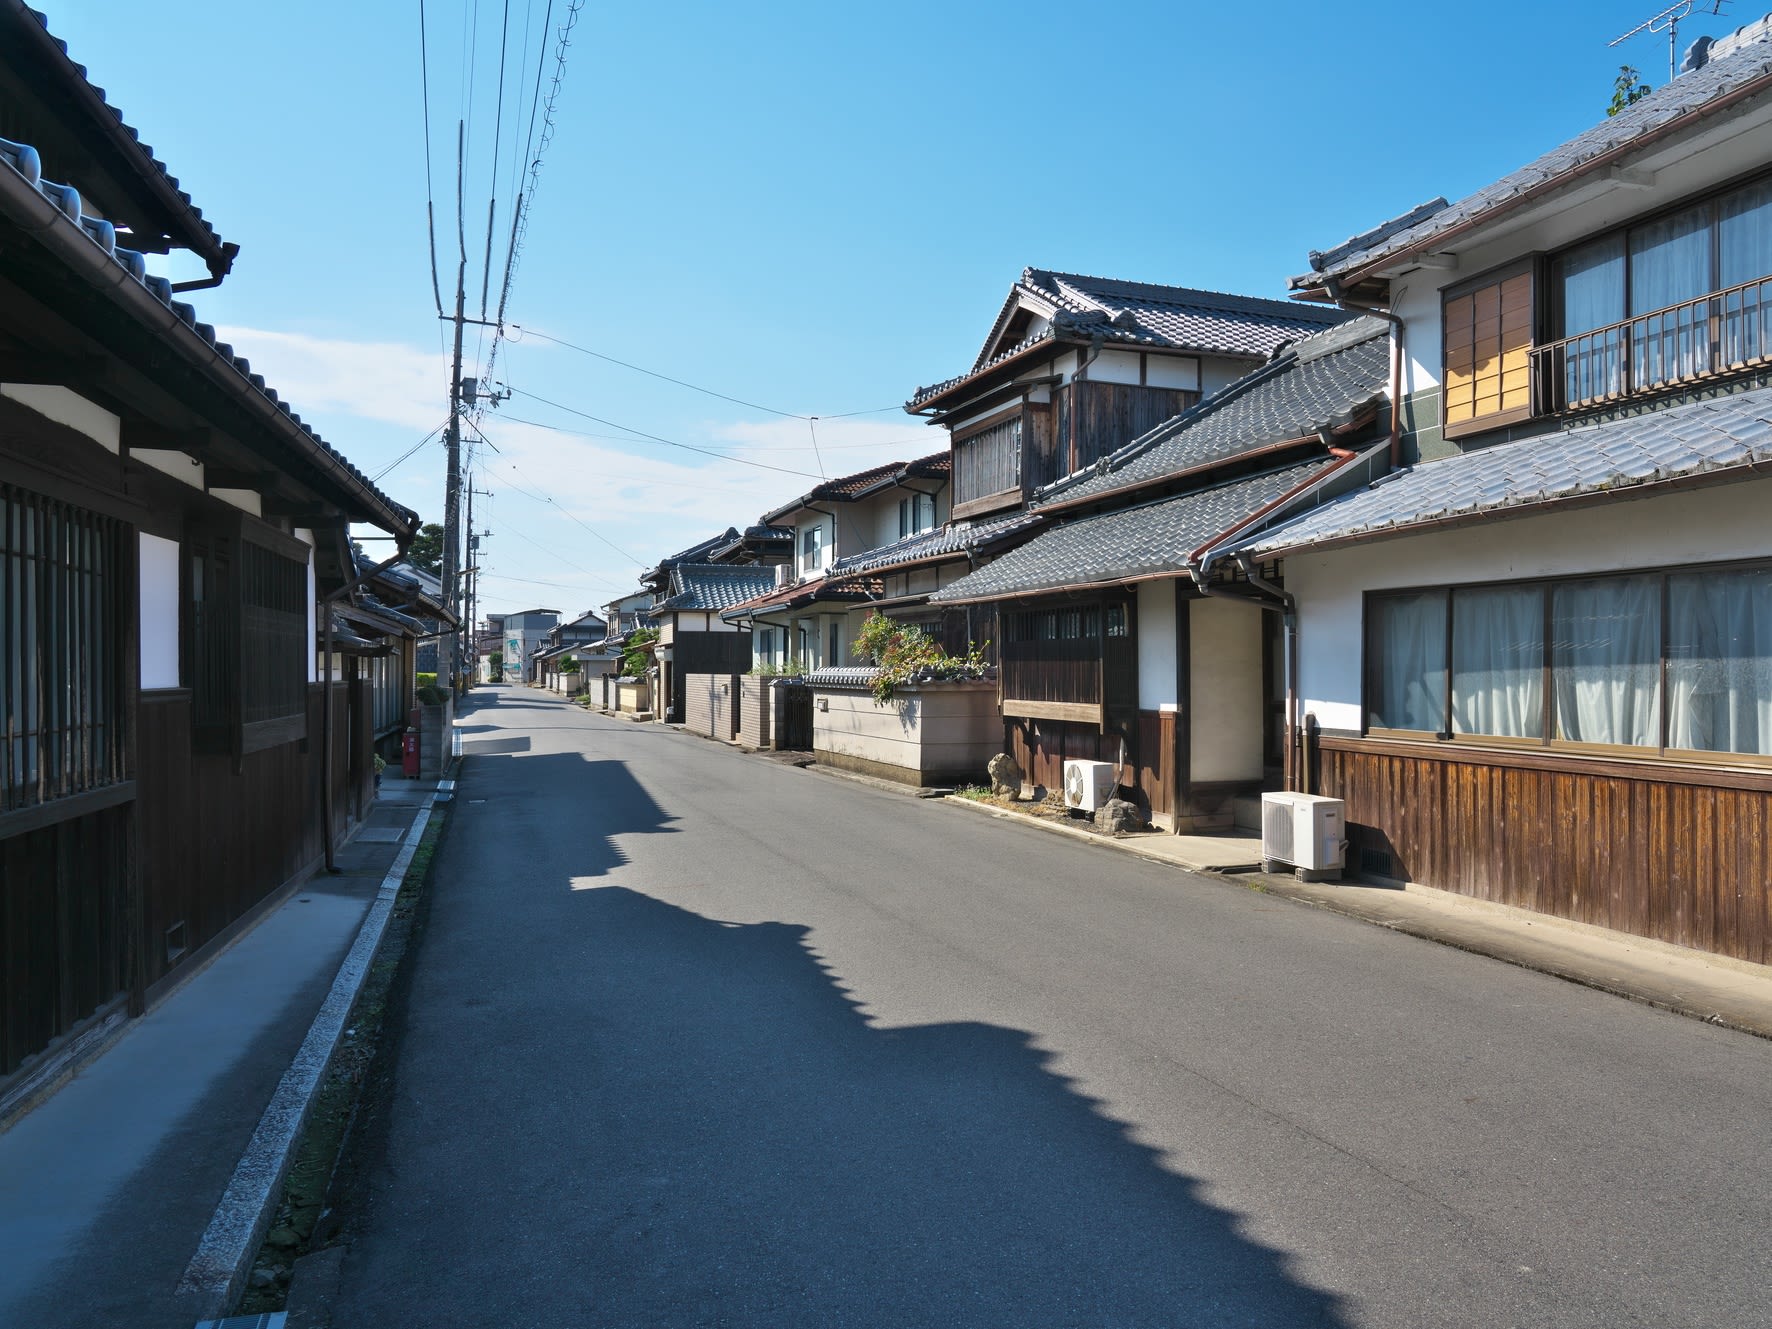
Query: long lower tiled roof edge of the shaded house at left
<point x="132" y="268"/>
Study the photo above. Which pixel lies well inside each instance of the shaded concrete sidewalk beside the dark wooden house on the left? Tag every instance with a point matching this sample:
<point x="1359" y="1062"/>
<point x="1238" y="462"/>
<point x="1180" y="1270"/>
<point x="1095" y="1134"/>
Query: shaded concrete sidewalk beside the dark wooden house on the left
<point x="107" y="1188"/>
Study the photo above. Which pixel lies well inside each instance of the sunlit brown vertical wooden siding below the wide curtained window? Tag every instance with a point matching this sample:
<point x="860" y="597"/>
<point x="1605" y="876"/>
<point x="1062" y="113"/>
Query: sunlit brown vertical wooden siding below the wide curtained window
<point x="1679" y="862"/>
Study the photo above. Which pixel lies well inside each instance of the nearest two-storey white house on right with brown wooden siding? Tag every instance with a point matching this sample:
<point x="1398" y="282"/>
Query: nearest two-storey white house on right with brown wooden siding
<point x="1539" y="657"/>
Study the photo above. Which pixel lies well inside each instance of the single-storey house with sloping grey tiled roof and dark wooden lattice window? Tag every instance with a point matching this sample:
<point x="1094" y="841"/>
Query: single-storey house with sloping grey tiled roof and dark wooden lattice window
<point x="1115" y="646"/>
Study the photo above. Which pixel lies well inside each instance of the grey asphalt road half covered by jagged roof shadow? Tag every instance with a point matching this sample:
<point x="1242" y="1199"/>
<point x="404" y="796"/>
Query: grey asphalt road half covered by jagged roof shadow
<point x="699" y="1039"/>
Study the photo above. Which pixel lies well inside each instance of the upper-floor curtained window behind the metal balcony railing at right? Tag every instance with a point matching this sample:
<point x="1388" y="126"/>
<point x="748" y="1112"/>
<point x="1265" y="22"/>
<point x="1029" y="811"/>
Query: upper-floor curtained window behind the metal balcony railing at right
<point x="1674" y="299"/>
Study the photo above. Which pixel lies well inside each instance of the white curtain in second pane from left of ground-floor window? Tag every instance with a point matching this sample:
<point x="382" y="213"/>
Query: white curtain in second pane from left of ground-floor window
<point x="1498" y="649"/>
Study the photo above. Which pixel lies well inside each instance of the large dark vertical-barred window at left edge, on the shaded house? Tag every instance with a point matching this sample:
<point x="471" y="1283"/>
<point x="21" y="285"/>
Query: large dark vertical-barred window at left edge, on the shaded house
<point x="63" y="665"/>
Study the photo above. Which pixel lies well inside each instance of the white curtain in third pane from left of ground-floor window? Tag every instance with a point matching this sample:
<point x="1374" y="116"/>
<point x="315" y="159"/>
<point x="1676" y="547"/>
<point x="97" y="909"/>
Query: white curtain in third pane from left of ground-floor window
<point x="1606" y="662"/>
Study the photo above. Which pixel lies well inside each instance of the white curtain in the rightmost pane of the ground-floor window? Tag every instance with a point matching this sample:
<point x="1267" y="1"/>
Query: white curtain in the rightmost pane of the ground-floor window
<point x="1720" y="662"/>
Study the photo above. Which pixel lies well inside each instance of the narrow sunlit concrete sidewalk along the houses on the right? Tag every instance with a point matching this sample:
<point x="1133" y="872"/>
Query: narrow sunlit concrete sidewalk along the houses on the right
<point x="1711" y="988"/>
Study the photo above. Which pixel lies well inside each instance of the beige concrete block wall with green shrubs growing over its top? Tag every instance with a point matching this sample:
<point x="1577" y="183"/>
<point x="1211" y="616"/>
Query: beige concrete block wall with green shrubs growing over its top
<point x="938" y="734"/>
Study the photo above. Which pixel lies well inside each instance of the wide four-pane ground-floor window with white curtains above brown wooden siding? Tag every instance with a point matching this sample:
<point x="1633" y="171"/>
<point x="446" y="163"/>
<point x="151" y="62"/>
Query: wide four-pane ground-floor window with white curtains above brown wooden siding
<point x="1665" y="662"/>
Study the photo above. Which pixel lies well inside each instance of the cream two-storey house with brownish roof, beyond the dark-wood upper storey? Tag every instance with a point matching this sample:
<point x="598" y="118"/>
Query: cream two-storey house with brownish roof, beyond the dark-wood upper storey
<point x="809" y="618"/>
